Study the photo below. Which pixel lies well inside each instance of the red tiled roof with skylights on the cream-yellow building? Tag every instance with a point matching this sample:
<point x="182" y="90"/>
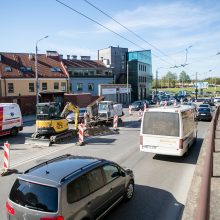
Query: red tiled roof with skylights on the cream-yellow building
<point x="18" y="60"/>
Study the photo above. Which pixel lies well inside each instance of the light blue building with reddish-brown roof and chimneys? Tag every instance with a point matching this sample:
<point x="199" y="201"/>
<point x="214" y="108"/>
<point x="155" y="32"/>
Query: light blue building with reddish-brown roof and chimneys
<point x="85" y="75"/>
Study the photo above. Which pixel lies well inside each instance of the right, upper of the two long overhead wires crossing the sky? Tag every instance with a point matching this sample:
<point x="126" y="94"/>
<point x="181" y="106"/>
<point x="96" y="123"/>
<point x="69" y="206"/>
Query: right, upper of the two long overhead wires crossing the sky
<point x="138" y="36"/>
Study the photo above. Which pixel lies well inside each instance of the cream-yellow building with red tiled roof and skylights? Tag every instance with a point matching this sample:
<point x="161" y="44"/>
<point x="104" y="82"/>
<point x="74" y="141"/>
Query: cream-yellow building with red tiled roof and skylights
<point x="18" y="75"/>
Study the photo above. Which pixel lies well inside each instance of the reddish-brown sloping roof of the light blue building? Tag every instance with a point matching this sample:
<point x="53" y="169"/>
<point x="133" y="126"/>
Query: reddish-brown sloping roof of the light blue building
<point x="83" y="64"/>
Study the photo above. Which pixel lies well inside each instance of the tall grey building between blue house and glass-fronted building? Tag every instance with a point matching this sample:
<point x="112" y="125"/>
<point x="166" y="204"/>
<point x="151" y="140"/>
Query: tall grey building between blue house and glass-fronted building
<point x="115" y="58"/>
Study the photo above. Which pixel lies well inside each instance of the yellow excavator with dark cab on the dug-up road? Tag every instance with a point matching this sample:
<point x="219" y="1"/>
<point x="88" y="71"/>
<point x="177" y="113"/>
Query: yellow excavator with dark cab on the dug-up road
<point x="52" y="125"/>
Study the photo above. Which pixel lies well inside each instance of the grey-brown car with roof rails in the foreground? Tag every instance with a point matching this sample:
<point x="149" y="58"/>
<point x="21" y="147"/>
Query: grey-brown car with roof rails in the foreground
<point x="69" y="187"/>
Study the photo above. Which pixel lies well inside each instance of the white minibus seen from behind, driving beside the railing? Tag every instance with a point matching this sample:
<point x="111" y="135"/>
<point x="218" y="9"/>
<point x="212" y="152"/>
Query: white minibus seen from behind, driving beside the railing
<point x="169" y="131"/>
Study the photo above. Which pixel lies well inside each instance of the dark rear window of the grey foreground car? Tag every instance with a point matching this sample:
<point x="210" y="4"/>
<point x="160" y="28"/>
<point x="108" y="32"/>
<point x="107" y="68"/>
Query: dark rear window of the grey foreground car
<point x="34" y="196"/>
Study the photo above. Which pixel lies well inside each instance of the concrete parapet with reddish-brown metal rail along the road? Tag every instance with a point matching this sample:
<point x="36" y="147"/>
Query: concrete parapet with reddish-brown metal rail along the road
<point x="198" y="201"/>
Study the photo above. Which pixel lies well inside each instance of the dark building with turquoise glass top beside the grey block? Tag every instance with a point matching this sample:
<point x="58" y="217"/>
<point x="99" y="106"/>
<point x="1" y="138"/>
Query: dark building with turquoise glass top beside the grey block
<point x="140" y="74"/>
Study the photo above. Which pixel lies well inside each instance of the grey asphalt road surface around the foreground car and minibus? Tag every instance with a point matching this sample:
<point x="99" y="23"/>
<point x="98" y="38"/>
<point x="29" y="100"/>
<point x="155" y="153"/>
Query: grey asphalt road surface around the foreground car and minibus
<point x="162" y="182"/>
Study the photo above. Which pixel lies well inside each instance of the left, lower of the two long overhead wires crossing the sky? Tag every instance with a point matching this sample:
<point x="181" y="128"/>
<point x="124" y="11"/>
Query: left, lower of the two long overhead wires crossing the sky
<point x="121" y="36"/>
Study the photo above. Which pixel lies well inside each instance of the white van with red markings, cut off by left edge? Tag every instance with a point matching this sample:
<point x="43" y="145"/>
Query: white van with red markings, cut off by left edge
<point x="10" y="119"/>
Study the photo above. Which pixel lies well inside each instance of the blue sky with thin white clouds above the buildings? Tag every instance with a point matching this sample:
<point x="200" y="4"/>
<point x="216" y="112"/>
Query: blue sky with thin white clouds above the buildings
<point x="171" y="29"/>
